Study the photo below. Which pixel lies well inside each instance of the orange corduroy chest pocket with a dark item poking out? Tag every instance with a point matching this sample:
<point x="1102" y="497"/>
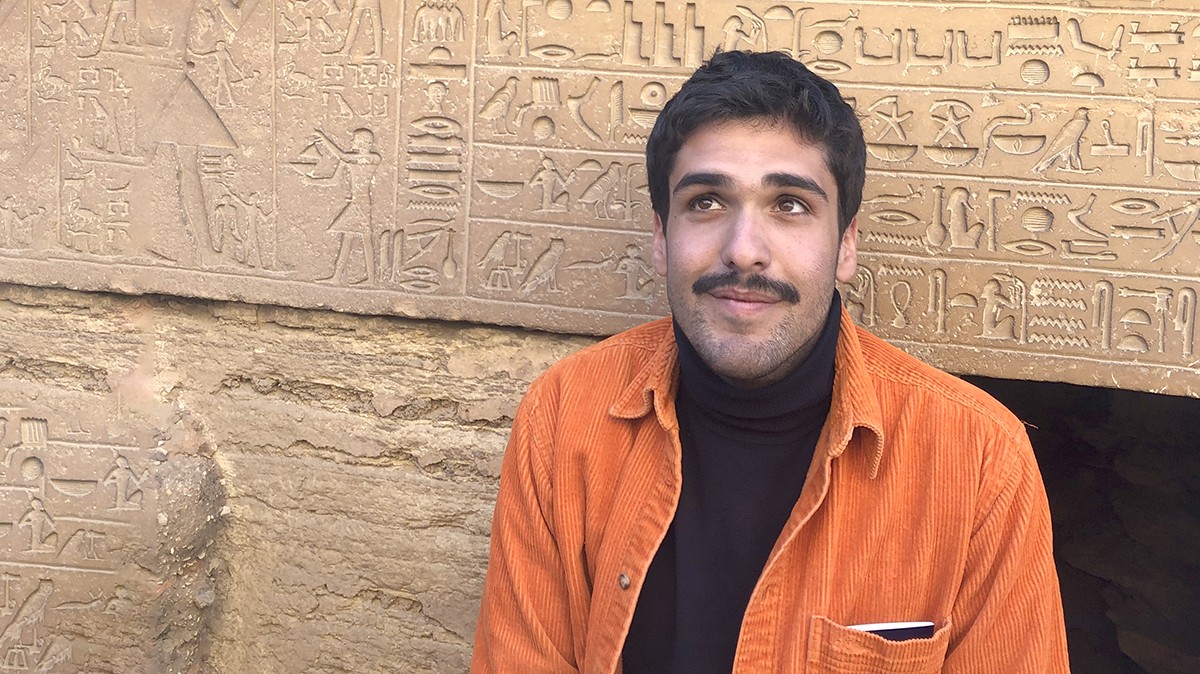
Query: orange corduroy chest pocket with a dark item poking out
<point x="835" y="649"/>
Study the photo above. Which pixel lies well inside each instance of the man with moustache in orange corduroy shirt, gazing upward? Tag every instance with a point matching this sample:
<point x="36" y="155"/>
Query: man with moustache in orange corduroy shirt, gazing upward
<point x="733" y="489"/>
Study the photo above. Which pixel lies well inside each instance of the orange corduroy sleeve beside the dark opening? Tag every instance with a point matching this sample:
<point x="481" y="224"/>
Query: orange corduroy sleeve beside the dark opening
<point x="1007" y="618"/>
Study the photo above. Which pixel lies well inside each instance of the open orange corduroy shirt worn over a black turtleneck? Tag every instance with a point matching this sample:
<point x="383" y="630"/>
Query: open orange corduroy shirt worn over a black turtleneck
<point x="923" y="503"/>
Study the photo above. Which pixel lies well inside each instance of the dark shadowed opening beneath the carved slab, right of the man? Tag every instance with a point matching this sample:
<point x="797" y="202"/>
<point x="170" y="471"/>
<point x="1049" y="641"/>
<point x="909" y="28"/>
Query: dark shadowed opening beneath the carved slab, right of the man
<point x="1123" y="474"/>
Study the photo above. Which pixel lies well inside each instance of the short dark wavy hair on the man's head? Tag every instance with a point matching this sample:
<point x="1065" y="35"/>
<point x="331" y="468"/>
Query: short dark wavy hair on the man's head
<point x="746" y="86"/>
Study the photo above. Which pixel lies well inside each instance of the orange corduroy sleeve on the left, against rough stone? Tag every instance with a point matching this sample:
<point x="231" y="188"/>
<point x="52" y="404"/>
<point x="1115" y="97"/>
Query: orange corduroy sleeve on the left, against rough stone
<point x="525" y="622"/>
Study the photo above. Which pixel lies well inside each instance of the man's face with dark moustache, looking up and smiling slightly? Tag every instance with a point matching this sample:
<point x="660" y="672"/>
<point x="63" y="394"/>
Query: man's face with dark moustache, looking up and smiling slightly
<point x="752" y="249"/>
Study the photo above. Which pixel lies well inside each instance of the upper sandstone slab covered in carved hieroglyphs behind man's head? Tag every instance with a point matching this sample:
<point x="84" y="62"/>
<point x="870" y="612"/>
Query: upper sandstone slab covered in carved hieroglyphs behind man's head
<point x="482" y="160"/>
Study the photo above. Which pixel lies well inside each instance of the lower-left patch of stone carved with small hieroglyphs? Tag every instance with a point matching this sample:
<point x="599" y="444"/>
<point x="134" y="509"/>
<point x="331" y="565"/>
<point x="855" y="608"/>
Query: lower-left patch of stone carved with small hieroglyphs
<point x="70" y="508"/>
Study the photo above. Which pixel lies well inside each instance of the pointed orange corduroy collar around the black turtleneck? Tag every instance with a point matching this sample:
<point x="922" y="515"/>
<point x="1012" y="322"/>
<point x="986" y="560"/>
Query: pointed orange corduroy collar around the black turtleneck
<point x="855" y="404"/>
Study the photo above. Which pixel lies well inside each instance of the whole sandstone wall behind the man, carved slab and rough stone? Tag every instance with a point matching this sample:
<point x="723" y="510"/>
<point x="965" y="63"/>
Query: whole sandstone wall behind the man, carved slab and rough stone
<point x="199" y="480"/>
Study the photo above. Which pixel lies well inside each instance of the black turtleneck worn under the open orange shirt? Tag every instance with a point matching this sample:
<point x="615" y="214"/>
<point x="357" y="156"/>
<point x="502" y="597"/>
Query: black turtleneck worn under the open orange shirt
<point x="746" y="455"/>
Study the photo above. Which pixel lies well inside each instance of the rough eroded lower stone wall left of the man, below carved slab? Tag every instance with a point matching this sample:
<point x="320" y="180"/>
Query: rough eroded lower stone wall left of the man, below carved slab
<point x="245" y="489"/>
